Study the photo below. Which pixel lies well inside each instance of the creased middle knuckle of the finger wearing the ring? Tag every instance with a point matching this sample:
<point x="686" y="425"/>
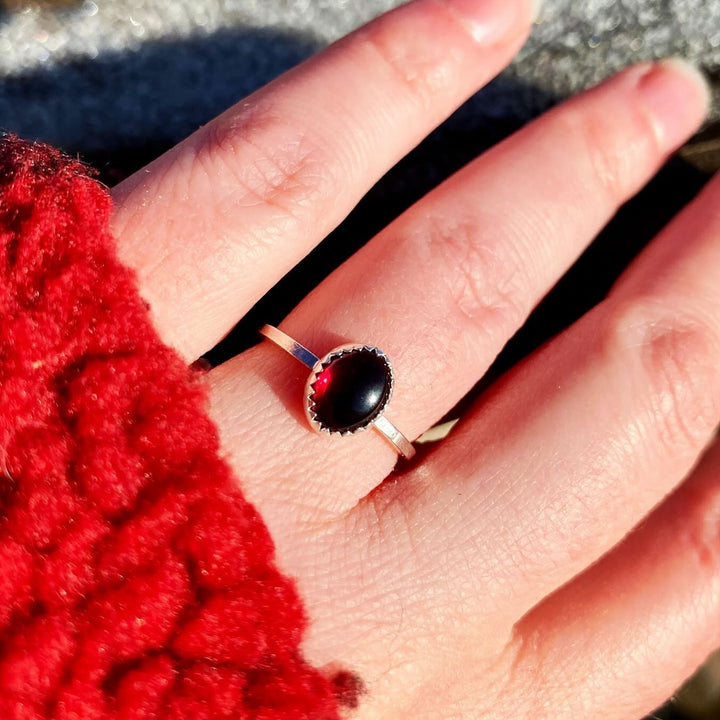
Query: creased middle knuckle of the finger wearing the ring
<point x="486" y="281"/>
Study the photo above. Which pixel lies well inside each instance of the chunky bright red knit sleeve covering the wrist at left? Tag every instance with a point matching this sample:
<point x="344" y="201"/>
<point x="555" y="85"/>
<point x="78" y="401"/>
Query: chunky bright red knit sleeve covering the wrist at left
<point x="135" y="581"/>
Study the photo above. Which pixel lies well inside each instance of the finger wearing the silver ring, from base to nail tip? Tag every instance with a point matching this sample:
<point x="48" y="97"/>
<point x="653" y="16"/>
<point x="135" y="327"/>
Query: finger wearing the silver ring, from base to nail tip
<point x="444" y="287"/>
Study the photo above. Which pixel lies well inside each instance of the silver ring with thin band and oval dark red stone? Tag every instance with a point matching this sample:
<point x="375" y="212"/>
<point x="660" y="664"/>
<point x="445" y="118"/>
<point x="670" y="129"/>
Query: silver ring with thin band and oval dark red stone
<point x="348" y="389"/>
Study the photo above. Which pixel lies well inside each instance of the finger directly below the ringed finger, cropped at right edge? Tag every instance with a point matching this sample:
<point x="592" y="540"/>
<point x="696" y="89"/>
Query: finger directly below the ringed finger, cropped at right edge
<point x="564" y="455"/>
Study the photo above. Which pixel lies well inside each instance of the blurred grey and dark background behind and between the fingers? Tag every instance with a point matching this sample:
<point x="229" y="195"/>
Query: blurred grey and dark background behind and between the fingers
<point x="118" y="82"/>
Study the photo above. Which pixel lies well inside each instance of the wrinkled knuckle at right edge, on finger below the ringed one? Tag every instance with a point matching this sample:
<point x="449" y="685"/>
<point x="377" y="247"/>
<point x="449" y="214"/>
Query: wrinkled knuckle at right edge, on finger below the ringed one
<point x="676" y="353"/>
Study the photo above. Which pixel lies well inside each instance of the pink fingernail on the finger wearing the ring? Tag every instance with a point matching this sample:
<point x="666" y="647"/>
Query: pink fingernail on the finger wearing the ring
<point x="678" y="97"/>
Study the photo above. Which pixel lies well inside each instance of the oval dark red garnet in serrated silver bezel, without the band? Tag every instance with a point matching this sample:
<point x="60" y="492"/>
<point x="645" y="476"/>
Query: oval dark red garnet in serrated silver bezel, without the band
<point x="349" y="389"/>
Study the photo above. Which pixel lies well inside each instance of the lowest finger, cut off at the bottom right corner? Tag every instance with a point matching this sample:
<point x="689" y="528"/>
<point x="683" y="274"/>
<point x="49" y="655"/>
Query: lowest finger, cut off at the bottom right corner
<point x="624" y="634"/>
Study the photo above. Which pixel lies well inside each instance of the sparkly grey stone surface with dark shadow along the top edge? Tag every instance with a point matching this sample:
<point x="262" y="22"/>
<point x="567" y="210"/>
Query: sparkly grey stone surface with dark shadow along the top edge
<point x="103" y="75"/>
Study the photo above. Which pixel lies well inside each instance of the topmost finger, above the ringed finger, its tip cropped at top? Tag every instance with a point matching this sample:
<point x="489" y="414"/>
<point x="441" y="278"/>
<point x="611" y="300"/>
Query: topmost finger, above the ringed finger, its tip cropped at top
<point x="215" y="222"/>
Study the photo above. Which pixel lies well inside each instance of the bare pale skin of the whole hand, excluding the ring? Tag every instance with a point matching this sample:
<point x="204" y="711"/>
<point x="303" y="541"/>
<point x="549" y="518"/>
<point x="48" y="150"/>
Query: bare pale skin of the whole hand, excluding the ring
<point x="560" y="551"/>
